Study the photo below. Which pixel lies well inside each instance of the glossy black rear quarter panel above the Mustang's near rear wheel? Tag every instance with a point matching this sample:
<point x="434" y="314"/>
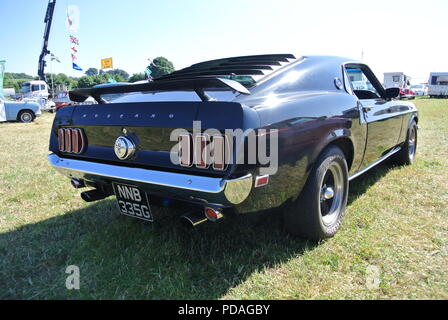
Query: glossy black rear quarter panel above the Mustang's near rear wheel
<point x="306" y="124"/>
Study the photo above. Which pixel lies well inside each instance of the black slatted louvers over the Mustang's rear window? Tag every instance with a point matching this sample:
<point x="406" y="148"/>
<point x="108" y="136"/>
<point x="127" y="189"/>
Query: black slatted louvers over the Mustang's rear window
<point x="246" y="70"/>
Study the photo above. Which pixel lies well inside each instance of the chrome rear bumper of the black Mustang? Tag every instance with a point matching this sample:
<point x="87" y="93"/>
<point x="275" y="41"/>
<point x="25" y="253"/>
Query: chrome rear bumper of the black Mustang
<point x="198" y="189"/>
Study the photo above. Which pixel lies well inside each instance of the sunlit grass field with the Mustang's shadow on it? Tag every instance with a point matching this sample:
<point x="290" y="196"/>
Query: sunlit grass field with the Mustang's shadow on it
<point x="396" y="224"/>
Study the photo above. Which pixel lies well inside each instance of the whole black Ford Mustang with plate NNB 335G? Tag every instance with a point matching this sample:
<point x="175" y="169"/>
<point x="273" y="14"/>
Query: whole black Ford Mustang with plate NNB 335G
<point x="237" y="135"/>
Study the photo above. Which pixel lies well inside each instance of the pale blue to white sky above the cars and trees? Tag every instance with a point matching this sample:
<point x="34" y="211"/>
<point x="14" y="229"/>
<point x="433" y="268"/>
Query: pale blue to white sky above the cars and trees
<point x="407" y="36"/>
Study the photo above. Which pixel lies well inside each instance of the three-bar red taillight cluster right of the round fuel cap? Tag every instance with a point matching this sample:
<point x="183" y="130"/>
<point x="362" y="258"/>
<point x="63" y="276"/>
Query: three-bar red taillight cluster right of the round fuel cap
<point x="198" y="153"/>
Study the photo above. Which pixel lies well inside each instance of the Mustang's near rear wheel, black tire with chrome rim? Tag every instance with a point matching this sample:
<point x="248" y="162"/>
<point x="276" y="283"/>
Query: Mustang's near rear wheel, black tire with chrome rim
<point x="318" y="211"/>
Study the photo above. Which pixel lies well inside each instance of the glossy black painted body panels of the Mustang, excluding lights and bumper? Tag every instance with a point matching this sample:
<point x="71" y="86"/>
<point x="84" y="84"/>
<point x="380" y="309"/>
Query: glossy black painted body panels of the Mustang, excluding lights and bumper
<point x="310" y="114"/>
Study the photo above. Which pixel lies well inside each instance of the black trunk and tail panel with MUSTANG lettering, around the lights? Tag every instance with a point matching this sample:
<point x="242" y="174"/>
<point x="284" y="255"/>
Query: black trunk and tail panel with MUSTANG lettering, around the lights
<point x="150" y="123"/>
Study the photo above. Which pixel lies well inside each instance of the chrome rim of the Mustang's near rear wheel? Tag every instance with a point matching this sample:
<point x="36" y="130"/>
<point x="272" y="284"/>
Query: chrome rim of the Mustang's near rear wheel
<point x="331" y="194"/>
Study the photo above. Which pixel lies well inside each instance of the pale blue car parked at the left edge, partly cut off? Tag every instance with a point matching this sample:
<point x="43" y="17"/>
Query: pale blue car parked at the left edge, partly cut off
<point x="18" y="111"/>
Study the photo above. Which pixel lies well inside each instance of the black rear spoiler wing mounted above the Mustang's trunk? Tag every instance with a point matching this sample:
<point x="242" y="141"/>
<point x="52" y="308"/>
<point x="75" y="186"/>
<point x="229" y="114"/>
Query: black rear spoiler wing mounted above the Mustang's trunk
<point x="199" y="85"/>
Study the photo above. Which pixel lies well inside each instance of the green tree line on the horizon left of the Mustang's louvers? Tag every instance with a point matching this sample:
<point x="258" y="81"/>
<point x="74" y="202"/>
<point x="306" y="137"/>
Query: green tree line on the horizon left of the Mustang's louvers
<point x="159" y="67"/>
